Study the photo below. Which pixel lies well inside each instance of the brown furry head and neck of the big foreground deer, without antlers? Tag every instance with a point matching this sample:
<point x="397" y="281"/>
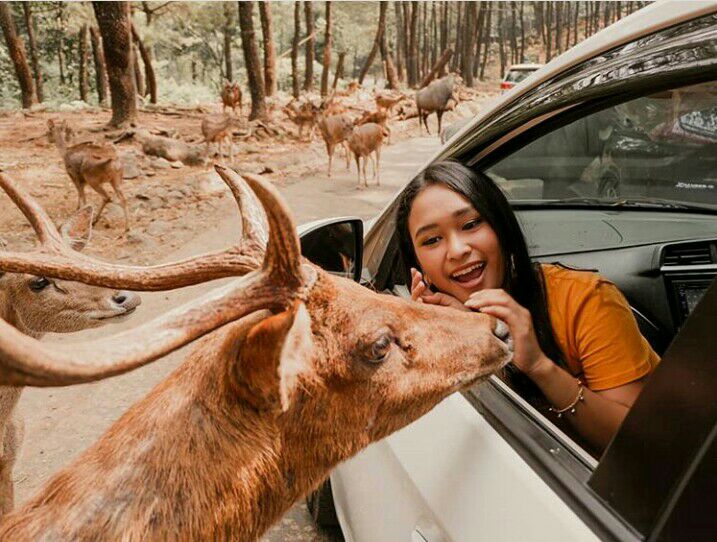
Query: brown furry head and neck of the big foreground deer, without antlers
<point x="259" y="412"/>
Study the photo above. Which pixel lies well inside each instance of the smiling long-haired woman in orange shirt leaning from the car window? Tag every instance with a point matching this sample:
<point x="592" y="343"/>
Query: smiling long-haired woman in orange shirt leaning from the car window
<point x="574" y="335"/>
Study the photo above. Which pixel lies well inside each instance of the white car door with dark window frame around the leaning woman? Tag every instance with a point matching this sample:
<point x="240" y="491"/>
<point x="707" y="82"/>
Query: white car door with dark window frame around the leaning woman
<point x="485" y="465"/>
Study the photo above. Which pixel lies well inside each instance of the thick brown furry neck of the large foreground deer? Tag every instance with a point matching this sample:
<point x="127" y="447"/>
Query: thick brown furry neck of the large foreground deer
<point x="188" y="458"/>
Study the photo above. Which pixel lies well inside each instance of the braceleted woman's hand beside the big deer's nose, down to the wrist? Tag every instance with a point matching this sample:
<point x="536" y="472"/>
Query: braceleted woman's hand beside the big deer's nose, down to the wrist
<point x="527" y="355"/>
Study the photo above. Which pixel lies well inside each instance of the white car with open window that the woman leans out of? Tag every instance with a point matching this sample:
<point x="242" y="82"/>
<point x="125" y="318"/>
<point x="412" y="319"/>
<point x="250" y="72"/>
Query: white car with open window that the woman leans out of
<point x="486" y="465"/>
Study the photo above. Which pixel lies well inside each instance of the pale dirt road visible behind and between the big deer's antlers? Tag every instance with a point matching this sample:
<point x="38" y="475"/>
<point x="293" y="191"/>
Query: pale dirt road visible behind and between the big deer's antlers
<point x="61" y="423"/>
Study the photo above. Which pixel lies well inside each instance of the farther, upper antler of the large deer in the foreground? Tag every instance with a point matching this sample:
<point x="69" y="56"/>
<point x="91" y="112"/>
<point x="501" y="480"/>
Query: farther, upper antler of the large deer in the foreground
<point x="55" y="259"/>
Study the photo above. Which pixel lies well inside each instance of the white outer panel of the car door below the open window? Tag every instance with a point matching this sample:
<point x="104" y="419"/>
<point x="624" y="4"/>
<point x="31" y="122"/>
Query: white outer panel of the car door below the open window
<point x="444" y="465"/>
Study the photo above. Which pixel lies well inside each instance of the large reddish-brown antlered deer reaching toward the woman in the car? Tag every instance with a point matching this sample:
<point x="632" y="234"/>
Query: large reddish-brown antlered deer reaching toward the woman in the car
<point x="297" y="370"/>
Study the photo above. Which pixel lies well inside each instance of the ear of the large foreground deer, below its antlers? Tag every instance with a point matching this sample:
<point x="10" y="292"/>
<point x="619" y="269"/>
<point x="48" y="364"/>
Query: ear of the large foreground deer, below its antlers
<point x="276" y="352"/>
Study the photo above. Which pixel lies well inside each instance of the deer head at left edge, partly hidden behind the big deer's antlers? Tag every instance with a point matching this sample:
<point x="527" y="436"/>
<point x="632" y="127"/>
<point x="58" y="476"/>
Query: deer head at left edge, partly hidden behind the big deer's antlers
<point x="40" y="304"/>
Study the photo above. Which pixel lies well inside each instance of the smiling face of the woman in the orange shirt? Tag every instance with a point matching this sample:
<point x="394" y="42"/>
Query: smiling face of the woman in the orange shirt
<point x="457" y="249"/>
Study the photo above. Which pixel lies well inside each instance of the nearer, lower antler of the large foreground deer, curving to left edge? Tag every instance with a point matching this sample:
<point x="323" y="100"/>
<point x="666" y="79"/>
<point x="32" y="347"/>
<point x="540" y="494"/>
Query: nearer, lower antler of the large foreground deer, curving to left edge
<point x="26" y="361"/>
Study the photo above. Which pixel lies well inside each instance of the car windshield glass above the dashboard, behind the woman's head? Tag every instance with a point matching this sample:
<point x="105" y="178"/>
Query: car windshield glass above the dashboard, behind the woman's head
<point x="658" y="150"/>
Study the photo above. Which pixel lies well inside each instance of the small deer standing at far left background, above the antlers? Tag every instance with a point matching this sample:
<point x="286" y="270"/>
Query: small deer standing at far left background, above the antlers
<point x="93" y="164"/>
